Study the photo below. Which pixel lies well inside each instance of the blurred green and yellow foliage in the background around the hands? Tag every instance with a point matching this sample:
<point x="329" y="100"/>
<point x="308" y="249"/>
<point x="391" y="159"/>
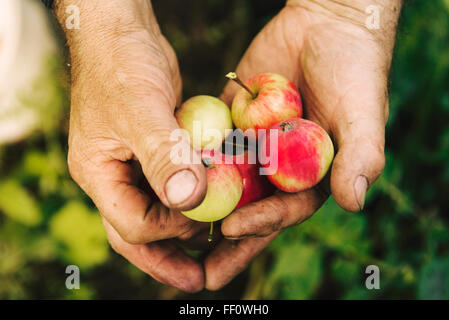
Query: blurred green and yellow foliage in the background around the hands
<point x="46" y="222"/>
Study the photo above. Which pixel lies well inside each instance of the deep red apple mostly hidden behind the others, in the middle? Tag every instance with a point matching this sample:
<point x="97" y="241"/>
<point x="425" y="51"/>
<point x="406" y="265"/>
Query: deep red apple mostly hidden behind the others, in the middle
<point x="255" y="186"/>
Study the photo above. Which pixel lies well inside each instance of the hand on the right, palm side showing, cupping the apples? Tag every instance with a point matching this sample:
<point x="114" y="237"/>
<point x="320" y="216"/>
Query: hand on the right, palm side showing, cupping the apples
<point x="341" y="69"/>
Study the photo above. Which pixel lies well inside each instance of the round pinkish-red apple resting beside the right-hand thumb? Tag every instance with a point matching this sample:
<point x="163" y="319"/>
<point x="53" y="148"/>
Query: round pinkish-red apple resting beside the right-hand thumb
<point x="304" y="154"/>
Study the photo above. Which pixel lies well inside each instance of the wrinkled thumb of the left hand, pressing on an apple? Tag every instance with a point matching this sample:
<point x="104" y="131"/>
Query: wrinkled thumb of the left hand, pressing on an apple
<point x="178" y="185"/>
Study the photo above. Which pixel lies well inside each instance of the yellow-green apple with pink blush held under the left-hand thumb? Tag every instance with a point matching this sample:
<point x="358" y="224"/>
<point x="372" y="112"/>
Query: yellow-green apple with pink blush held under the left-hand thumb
<point x="224" y="190"/>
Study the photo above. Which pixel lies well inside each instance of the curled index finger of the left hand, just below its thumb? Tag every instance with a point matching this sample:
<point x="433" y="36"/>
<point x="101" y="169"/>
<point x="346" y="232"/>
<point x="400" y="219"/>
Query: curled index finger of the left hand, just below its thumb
<point x="135" y="215"/>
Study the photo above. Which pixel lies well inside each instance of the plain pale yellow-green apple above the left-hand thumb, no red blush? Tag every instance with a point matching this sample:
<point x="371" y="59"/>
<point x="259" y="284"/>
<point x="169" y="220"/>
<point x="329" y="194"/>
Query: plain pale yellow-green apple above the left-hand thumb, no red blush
<point x="206" y="120"/>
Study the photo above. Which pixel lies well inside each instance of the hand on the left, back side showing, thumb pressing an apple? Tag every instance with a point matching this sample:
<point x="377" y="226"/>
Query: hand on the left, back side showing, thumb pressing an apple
<point x="125" y="86"/>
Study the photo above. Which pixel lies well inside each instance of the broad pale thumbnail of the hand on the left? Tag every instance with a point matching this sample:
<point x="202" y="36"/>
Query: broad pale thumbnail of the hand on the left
<point x="180" y="187"/>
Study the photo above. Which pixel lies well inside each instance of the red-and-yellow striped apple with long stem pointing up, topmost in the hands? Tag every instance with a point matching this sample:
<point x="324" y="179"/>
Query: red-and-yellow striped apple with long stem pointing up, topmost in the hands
<point x="263" y="101"/>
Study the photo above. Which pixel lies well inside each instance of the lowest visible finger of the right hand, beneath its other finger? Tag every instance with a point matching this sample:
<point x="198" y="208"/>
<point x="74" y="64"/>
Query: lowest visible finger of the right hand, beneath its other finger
<point x="230" y="258"/>
